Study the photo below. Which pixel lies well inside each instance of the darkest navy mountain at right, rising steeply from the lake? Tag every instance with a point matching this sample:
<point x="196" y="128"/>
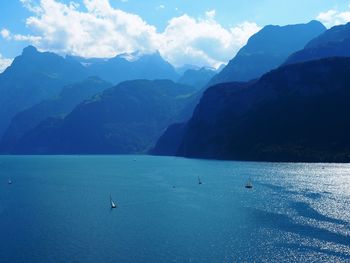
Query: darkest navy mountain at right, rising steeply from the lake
<point x="295" y="113"/>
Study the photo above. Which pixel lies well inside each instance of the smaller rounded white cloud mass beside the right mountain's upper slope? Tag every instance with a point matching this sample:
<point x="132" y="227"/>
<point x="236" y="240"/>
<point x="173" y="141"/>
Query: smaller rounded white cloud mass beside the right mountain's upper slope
<point x="187" y="40"/>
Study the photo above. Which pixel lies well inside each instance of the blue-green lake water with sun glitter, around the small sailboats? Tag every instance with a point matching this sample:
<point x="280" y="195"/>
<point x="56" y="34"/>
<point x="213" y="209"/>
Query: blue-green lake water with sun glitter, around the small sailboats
<point x="57" y="210"/>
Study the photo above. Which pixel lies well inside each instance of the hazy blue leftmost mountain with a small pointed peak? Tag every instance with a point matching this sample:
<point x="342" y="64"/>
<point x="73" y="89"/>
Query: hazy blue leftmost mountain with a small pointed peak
<point x="33" y="77"/>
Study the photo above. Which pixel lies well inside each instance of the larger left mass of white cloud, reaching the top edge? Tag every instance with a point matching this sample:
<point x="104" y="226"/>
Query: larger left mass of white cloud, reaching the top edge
<point x="100" y="31"/>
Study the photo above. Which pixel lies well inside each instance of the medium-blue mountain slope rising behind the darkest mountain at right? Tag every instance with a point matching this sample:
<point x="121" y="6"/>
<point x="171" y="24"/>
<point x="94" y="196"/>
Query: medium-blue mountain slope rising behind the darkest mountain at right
<point x="267" y="50"/>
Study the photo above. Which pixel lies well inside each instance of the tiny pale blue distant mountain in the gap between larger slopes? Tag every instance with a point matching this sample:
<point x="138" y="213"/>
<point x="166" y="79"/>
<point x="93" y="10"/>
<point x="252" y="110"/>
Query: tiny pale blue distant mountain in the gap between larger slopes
<point x="197" y="77"/>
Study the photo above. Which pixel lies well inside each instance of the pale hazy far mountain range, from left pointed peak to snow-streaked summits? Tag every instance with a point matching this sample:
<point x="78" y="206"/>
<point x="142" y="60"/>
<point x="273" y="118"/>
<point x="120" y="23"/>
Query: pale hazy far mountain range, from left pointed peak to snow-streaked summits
<point x="37" y="76"/>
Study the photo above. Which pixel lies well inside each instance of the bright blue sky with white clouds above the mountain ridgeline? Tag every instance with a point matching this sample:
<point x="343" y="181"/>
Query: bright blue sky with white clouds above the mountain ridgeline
<point x="198" y="32"/>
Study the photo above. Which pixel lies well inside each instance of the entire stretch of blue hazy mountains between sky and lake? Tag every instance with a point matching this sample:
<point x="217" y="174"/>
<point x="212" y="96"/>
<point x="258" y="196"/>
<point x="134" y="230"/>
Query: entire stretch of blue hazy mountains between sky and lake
<point x="270" y="116"/>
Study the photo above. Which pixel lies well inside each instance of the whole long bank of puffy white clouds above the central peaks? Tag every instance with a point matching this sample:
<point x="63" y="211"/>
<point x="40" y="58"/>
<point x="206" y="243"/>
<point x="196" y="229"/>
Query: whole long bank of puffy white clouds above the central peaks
<point x="99" y="30"/>
